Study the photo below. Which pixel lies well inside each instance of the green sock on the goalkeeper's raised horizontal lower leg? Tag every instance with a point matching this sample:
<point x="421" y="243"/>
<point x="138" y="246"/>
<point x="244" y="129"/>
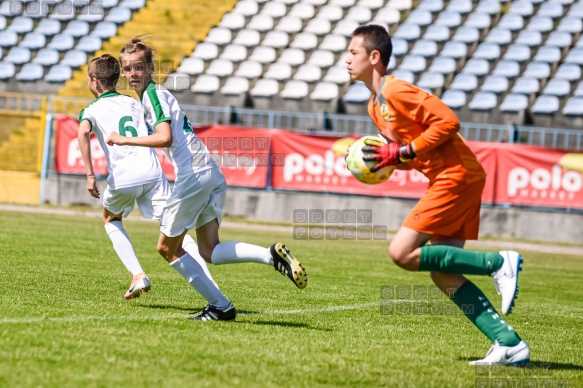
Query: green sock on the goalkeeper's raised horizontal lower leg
<point x="447" y="259"/>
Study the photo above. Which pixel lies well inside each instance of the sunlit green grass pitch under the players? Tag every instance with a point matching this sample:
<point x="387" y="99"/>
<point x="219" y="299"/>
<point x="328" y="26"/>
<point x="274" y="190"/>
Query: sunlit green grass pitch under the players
<point x="64" y="321"/>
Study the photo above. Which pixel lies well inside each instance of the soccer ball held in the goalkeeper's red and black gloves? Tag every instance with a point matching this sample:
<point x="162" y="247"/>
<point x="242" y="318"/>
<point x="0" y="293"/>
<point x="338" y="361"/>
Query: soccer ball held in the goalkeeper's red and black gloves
<point x="361" y="169"/>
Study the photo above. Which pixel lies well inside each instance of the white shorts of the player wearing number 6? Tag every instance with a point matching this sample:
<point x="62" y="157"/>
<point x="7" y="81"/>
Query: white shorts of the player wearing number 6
<point x="150" y="197"/>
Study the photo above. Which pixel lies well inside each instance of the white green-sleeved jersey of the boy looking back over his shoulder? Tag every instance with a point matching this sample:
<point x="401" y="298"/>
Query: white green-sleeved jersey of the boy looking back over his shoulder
<point x="187" y="153"/>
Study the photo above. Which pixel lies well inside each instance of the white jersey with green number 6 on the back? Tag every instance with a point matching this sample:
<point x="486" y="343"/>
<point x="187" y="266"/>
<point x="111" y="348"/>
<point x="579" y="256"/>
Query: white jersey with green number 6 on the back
<point x="127" y="165"/>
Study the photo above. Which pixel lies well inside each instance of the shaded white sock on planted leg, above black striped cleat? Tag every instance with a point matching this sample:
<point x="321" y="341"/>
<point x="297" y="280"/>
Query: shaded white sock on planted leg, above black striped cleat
<point x="195" y="276"/>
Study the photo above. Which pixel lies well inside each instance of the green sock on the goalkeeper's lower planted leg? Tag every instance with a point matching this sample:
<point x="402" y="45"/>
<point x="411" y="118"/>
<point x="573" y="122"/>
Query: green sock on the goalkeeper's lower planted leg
<point x="474" y="304"/>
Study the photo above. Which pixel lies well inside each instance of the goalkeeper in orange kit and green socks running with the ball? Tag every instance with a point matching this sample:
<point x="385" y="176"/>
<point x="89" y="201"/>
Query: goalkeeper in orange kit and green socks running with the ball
<point x="423" y="134"/>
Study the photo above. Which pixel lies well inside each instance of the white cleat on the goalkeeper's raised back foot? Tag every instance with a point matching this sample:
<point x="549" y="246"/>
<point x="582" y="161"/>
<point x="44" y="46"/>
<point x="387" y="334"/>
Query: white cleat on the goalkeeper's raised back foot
<point x="506" y="279"/>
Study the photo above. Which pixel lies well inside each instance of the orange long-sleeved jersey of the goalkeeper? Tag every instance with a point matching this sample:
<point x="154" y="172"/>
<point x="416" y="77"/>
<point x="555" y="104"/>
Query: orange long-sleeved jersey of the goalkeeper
<point x="406" y="114"/>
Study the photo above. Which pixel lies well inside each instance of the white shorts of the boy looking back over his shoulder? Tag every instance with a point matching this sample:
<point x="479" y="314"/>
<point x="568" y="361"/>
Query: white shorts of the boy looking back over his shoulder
<point x="195" y="201"/>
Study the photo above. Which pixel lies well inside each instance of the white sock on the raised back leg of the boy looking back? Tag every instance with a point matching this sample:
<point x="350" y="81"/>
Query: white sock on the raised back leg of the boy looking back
<point x="237" y="252"/>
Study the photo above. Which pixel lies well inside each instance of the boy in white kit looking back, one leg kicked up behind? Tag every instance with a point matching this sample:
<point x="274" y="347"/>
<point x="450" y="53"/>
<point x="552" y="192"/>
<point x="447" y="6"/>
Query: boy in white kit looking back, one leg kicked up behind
<point x="200" y="187"/>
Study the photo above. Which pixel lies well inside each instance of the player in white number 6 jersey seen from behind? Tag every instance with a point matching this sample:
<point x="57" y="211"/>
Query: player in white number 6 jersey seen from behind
<point x="134" y="176"/>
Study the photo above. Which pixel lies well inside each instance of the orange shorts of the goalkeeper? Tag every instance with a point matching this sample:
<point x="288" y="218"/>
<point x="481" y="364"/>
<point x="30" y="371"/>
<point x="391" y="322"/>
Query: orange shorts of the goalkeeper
<point x="449" y="210"/>
